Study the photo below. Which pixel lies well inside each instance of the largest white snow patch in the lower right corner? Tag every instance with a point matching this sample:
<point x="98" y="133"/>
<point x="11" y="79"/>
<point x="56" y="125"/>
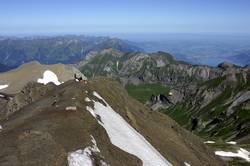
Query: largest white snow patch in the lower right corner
<point x="242" y="153"/>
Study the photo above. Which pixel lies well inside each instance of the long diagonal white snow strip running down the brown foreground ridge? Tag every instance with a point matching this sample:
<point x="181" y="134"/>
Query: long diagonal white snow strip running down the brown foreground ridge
<point x="124" y="136"/>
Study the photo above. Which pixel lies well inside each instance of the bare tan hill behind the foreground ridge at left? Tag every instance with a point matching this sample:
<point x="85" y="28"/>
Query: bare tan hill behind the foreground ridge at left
<point x="16" y="79"/>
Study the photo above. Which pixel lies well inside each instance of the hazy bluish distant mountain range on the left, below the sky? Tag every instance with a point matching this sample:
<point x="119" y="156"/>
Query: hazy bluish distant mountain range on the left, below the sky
<point x="49" y="50"/>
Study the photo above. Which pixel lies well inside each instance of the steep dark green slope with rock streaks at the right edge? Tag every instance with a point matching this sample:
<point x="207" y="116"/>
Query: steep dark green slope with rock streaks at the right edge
<point x="221" y="106"/>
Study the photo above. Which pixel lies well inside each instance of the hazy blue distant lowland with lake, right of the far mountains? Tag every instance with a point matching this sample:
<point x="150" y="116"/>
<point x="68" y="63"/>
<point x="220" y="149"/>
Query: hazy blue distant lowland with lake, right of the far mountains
<point x="203" y="49"/>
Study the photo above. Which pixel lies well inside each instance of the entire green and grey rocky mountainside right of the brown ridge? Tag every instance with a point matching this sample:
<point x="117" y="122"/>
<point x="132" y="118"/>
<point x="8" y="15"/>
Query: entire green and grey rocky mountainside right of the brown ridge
<point x="213" y="102"/>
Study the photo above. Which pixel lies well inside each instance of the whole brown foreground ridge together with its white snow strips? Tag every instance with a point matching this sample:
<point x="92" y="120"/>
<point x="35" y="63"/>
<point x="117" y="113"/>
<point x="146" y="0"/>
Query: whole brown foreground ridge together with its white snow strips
<point x="96" y="123"/>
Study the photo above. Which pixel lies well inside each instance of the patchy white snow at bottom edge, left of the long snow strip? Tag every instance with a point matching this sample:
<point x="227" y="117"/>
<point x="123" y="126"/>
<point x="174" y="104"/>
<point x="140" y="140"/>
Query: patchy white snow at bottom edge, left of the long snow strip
<point x="83" y="157"/>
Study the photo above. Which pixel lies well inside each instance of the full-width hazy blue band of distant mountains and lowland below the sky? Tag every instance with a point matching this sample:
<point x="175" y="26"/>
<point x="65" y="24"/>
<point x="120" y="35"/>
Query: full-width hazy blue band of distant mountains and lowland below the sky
<point x="67" y="49"/>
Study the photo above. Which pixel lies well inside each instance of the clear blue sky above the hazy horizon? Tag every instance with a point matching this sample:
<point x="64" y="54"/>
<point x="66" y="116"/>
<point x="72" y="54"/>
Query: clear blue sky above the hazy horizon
<point x="124" y="16"/>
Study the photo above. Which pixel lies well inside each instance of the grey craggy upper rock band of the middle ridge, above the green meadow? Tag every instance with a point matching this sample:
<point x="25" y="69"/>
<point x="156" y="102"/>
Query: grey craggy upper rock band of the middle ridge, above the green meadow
<point x="138" y="67"/>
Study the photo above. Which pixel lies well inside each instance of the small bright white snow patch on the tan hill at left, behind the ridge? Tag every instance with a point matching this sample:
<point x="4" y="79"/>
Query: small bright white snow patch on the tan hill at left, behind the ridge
<point x="49" y="76"/>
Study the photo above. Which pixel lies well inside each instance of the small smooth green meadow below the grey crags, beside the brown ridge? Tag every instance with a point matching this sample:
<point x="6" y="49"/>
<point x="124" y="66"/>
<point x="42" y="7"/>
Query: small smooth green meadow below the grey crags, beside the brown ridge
<point x="143" y="92"/>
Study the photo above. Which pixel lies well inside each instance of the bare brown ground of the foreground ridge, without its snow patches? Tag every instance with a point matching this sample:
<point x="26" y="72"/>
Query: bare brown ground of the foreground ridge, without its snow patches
<point x="43" y="132"/>
